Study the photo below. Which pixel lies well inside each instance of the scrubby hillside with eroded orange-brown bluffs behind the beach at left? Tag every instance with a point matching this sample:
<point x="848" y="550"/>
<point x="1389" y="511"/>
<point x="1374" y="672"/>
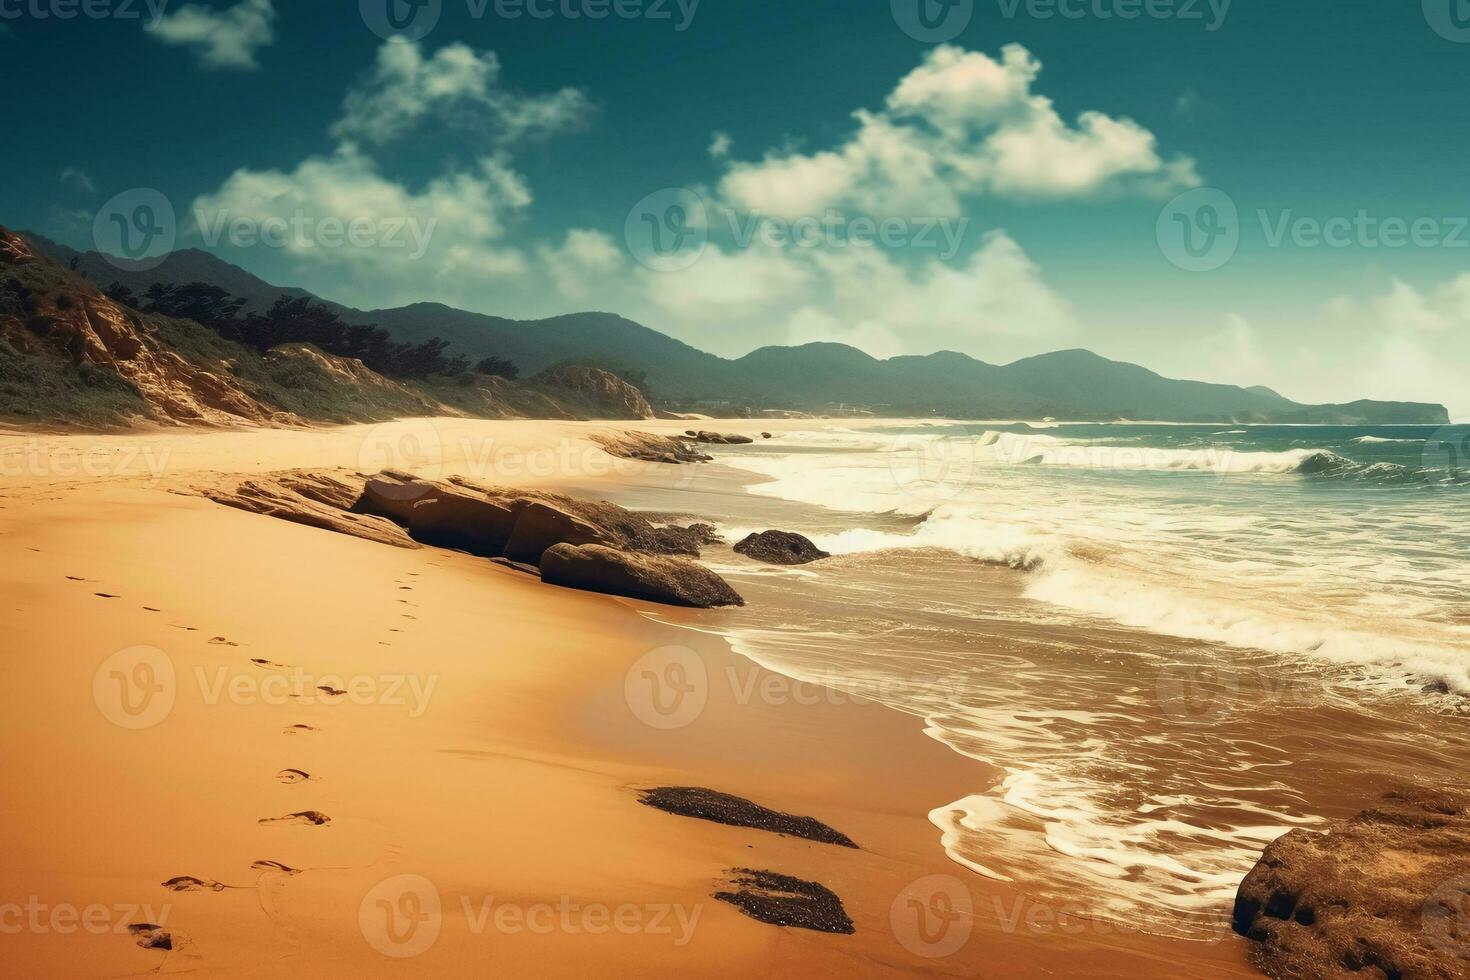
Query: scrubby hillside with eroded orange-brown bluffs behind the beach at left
<point x="71" y="356"/>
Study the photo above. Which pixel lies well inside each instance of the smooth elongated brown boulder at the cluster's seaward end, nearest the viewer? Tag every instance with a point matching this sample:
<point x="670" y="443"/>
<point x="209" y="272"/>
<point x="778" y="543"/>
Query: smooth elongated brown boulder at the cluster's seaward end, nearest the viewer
<point x="637" y="577"/>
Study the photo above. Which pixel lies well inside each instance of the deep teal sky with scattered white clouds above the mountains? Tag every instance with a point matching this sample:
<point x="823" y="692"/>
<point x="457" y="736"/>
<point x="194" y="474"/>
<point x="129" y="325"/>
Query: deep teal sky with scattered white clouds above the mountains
<point x="1227" y="190"/>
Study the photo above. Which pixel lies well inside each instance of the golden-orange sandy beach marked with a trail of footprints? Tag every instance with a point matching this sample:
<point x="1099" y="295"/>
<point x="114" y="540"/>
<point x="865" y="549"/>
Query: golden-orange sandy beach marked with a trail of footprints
<point x="478" y="775"/>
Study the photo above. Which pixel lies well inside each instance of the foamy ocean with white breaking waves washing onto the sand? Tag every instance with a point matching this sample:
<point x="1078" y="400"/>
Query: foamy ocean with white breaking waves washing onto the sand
<point x="1172" y="643"/>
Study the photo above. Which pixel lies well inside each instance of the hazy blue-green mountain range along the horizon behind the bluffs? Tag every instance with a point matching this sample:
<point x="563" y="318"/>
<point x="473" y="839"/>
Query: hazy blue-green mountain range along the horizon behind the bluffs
<point x="1072" y="384"/>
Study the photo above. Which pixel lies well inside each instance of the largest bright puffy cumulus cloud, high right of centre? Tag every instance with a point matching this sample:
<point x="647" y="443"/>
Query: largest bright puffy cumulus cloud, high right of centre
<point x="959" y="126"/>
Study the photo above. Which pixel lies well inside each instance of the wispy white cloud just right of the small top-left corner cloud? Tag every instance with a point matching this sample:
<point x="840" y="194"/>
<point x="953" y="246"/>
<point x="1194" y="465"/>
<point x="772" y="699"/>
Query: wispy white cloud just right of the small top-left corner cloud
<point x="455" y="86"/>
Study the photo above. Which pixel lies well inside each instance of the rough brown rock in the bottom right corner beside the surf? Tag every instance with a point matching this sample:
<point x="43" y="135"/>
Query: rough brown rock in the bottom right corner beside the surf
<point x="1381" y="896"/>
